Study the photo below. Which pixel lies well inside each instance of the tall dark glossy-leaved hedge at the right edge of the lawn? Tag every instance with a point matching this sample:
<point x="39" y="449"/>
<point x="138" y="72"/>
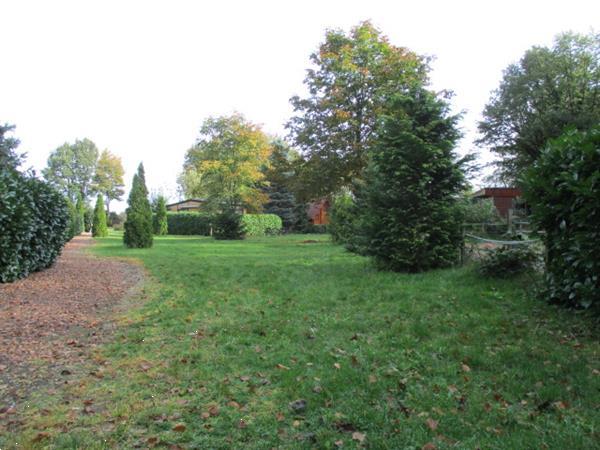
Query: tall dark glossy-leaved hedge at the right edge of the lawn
<point x="563" y="190"/>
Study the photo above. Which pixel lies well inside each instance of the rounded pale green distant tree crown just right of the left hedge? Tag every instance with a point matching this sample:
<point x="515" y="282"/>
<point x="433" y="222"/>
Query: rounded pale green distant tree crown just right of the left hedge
<point x="71" y="168"/>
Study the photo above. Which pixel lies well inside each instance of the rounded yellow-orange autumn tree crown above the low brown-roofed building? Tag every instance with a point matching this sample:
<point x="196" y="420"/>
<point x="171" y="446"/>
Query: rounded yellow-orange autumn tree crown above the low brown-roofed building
<point x="226" y="166"/>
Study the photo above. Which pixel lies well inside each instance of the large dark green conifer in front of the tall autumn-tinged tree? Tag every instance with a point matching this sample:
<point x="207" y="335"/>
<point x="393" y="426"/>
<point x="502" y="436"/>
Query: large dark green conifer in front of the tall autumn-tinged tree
<point x="409" y="219"/>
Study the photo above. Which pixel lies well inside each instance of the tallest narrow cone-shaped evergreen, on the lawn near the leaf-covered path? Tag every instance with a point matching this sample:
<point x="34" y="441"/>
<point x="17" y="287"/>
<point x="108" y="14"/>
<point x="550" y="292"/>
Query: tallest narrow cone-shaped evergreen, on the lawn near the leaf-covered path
<point x="138" y="225"/>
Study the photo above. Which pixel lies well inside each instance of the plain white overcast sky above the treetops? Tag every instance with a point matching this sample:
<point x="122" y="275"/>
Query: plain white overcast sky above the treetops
<point x="139" y="77"/>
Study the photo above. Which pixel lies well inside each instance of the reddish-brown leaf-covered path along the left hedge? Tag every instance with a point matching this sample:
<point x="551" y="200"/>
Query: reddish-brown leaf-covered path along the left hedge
<point x="51" y="320"/>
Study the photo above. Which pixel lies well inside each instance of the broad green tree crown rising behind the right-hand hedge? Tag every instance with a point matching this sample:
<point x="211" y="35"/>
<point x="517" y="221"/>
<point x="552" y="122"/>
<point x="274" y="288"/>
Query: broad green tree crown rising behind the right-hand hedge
<point x="547" y="91"/>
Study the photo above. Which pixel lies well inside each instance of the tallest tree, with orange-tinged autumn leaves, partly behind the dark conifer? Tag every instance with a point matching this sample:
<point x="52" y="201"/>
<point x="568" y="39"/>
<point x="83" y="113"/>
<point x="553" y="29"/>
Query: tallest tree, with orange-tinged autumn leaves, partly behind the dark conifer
<point x="352" y="77"/>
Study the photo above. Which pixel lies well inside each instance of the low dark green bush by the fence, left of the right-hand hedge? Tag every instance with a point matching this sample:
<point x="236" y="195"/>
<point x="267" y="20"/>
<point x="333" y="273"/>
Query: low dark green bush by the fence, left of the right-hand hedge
<point x="509" y="261"/>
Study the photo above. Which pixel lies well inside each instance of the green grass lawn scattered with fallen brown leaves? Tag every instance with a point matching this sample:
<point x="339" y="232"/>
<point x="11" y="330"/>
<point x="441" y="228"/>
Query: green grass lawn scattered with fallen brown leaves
<point x="230" y="333"/>
